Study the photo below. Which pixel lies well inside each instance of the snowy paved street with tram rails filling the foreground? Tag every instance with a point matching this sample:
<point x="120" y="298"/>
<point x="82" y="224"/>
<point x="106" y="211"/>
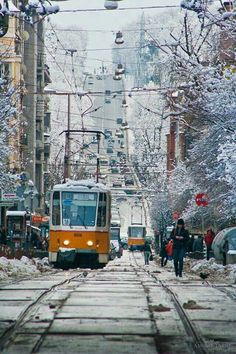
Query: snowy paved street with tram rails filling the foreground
<point x="125" y="308"/>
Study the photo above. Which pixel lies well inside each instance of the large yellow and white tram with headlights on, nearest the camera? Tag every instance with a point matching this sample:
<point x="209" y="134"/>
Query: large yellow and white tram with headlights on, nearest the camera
<point x="80" y="224"/>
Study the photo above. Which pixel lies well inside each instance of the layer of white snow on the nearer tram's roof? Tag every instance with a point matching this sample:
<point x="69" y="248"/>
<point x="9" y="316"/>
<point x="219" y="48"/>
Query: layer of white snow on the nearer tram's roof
<point x="83" y="185"/>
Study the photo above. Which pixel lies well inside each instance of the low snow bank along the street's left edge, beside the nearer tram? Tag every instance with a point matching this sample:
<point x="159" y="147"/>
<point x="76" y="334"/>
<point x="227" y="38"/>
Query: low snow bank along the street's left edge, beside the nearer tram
<point x="24" y="267"/>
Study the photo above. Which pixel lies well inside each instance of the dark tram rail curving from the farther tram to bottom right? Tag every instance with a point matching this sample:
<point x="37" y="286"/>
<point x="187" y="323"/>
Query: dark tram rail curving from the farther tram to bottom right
<point x="196" y="345"/>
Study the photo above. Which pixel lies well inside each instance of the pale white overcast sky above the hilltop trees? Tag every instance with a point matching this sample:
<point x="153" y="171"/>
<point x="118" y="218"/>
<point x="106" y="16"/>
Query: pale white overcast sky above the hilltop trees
<point x="108" y="21"/>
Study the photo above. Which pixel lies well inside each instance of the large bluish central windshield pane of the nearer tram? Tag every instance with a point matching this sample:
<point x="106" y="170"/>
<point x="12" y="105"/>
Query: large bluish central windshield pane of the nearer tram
<point x="79" y="209"/>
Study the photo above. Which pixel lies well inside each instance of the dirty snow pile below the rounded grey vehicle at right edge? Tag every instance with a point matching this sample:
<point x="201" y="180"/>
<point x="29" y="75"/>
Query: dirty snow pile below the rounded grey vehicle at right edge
<point x="215" y="269"/>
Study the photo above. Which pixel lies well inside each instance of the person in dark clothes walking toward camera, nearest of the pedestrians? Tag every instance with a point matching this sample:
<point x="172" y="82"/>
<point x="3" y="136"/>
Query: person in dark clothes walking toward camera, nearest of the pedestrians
<point x="180" y="237"/>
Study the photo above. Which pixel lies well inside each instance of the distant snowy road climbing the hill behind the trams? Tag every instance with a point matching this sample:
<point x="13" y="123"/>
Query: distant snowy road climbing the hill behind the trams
<point x="110" y="108"/>
